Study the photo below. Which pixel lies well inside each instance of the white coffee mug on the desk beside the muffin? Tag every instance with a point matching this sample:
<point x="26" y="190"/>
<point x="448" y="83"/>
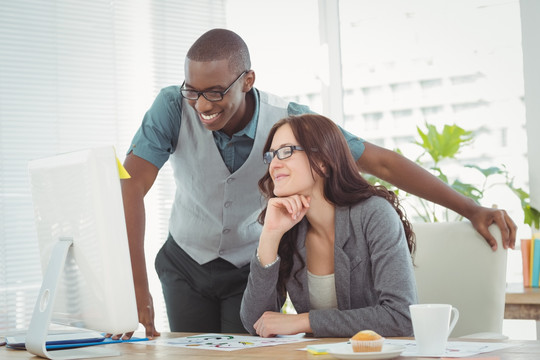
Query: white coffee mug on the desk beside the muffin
<point x="432" y="326"/>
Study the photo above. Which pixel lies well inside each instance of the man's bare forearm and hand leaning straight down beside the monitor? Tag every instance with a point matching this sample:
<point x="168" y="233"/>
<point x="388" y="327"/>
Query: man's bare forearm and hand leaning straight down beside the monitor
<point x="143" y="174"/>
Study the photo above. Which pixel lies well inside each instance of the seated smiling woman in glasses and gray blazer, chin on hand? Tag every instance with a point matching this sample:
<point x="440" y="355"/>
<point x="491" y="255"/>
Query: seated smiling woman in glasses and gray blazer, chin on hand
<point x="340" y="247"/>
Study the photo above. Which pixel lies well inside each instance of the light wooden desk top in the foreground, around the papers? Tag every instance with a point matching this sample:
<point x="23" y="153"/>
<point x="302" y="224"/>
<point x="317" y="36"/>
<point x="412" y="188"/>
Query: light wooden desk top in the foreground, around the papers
<point x="525" y="350"/>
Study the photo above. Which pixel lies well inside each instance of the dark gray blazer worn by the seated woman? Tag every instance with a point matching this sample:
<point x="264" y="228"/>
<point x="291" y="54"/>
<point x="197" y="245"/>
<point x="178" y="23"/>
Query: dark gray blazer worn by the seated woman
<point x="373" y="275"/>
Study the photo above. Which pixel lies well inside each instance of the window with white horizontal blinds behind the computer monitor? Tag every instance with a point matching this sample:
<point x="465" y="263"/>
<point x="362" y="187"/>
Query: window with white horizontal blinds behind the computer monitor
<point x="80" y="74"/>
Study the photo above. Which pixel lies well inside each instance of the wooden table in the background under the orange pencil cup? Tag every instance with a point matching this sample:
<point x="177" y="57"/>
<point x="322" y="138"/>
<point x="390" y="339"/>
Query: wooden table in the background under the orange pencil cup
<point x="523" y="303"/>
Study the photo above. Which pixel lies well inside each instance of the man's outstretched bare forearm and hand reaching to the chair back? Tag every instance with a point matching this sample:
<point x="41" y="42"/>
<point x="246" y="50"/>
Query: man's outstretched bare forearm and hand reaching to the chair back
<point x="408" y="176"/>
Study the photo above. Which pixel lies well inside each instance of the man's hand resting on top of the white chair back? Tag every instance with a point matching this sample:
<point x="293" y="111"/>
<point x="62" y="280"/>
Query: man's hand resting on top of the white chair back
<point x="483" y="217"/>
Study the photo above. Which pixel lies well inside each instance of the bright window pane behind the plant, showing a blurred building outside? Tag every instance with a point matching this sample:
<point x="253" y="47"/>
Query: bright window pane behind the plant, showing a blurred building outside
<point x="464" y="56"/>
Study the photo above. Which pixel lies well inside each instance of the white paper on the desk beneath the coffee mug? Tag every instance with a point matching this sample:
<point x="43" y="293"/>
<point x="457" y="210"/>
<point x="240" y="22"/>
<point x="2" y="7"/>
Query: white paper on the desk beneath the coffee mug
<point x="454" y="349"/>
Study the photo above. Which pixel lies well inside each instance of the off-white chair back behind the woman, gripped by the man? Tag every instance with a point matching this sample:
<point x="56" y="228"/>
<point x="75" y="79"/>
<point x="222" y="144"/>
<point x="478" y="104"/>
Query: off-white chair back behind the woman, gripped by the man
<point x="455" y="265"/>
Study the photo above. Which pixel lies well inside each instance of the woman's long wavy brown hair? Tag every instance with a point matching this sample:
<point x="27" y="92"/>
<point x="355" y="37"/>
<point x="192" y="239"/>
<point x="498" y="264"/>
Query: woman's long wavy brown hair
<point x="325" y="144"/>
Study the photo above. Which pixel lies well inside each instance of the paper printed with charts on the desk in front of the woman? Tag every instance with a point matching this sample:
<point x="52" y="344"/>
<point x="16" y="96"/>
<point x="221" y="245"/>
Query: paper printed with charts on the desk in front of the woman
<point x="225" y="342"/>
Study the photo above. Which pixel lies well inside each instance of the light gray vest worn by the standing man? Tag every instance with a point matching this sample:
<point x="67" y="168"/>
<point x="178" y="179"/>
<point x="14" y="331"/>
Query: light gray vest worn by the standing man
<point x="215" y="212"/>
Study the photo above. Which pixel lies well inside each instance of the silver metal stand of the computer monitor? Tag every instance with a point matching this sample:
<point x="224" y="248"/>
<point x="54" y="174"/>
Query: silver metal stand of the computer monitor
<point x="36" y="337"/>
